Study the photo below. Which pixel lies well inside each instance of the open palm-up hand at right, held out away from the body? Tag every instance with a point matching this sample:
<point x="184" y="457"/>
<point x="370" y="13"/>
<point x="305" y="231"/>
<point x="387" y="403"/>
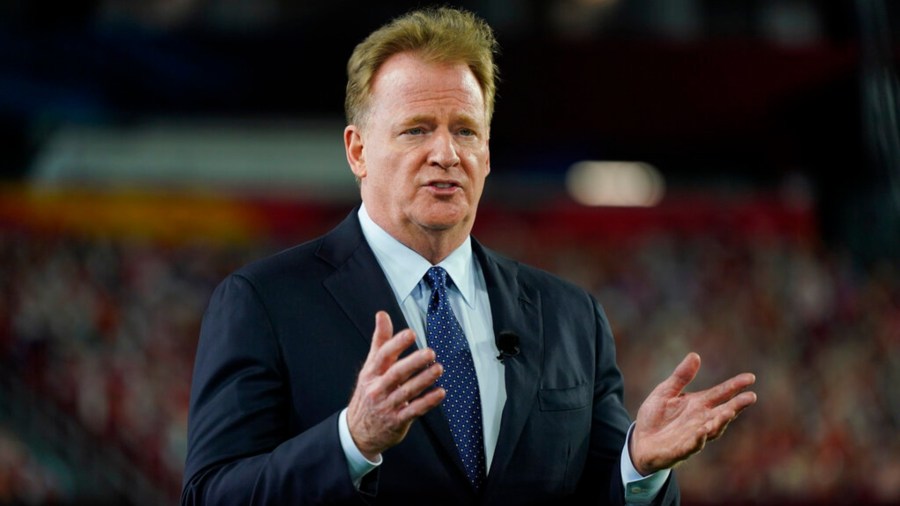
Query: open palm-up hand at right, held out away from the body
<point x="673" y="425"/>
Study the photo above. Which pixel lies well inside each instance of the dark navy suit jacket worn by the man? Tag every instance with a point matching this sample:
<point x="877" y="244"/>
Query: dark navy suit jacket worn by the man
<point x="280" y="348"/>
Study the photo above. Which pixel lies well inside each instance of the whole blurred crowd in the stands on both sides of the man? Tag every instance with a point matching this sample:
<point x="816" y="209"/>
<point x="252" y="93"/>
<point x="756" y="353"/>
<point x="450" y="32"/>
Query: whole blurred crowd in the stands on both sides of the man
<point x="106" y="328"/>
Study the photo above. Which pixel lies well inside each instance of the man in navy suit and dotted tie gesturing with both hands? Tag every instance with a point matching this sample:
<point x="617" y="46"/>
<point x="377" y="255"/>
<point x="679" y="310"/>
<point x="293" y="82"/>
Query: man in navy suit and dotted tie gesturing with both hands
<point x="501" y="387"/>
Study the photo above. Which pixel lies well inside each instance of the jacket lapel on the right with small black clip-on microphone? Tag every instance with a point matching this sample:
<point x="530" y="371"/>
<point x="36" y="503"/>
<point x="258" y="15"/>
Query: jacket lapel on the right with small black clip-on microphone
<point x="515" y="307"/>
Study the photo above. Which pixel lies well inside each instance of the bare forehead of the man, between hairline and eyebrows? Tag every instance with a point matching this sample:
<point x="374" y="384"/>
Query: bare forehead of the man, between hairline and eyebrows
<point x="405" y="81"/>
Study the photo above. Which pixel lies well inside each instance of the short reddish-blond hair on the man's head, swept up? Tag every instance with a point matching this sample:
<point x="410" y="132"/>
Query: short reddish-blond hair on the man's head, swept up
<point x="441" y="35"/>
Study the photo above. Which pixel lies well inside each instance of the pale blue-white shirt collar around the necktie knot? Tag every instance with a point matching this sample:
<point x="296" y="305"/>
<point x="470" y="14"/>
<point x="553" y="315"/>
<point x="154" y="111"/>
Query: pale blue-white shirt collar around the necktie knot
<point x="405" y="268"/>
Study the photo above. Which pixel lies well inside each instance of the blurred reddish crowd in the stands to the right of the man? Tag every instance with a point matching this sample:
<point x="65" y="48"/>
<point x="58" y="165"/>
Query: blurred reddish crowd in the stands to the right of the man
<point x="822" y="336"/>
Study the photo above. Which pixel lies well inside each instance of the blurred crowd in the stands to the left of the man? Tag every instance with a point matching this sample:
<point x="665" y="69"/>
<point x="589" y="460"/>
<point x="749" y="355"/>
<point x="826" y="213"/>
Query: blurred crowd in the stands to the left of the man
<point x="106" y="330"/>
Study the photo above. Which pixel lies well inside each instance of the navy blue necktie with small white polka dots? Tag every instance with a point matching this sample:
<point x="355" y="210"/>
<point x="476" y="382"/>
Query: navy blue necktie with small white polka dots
<point x="462" y="405"/>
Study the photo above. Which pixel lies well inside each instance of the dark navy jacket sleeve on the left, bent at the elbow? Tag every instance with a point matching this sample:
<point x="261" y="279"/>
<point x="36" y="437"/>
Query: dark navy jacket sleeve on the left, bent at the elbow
<point x="240" y="450"/>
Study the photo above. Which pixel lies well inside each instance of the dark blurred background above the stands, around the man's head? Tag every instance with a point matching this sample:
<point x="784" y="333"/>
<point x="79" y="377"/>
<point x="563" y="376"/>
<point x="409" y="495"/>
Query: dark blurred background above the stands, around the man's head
<point x="739" y="93"/>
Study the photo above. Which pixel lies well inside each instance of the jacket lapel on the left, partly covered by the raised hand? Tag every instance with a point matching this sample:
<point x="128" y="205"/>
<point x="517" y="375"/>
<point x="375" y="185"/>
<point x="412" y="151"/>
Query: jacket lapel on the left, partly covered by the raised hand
<point x="361" y="289"/>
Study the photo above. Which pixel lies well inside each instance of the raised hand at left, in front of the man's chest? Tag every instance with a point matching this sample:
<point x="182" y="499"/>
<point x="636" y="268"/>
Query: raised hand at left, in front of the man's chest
<point x="389" y="392"/>
